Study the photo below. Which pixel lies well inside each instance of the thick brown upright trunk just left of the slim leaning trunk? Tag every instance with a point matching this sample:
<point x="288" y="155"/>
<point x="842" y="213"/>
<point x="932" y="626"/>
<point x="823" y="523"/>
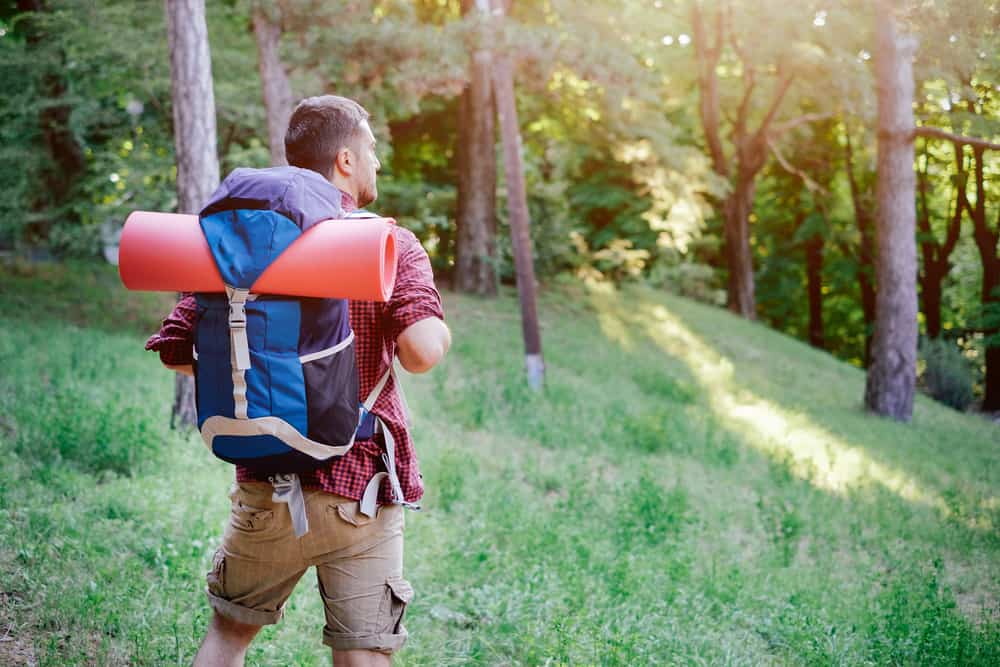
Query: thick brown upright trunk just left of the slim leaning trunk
<point x="475" y="251"/>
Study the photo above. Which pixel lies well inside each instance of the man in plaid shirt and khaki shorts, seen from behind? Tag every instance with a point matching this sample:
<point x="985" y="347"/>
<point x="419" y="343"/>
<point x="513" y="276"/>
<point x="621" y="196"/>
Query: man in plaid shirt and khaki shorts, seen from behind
<point x="358" y="559"/>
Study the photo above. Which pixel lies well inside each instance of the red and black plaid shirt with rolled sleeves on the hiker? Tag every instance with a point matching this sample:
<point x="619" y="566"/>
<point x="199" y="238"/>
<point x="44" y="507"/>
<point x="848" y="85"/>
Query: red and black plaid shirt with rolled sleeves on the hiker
<point x="376" y="327"/>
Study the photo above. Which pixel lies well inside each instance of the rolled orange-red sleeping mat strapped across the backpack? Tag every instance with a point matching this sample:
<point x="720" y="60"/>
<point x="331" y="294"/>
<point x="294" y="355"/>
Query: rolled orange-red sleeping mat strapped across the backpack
<point x="344" y="259"/>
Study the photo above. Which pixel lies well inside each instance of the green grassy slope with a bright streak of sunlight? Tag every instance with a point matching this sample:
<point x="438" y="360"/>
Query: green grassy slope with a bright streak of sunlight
<point x="690" y="488"/>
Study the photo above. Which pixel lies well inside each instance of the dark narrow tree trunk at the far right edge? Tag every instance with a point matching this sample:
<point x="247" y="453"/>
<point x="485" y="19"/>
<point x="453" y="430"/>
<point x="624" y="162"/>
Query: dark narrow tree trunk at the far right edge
<point x="987" y="241"/>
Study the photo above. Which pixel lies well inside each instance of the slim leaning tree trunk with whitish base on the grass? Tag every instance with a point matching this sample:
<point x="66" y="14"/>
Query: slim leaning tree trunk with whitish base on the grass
<point x="517" y="209"/>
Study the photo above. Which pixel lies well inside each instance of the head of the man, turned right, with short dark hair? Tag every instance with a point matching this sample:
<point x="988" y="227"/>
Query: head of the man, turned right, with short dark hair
<point x="330" y="134"/>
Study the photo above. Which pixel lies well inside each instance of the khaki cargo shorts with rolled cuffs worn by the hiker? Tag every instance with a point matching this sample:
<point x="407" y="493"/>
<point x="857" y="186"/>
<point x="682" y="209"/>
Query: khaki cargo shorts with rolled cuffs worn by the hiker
<point x="359" y="565"/>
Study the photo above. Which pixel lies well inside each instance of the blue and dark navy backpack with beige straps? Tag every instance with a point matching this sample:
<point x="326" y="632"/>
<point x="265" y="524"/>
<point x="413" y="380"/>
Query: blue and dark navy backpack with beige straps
<point x="275" y="376"/>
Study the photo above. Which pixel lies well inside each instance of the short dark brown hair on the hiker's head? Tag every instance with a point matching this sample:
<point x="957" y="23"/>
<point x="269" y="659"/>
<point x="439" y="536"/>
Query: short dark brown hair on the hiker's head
<point x="319" y="127"/>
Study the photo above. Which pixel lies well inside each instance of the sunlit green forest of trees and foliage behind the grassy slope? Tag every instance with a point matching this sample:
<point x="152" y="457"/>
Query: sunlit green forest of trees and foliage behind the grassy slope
<point x="626" y="165"/>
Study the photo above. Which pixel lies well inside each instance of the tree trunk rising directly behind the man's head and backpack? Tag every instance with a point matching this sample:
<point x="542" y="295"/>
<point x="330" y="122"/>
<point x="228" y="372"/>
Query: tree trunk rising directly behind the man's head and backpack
<point x="273" y="77"/>
